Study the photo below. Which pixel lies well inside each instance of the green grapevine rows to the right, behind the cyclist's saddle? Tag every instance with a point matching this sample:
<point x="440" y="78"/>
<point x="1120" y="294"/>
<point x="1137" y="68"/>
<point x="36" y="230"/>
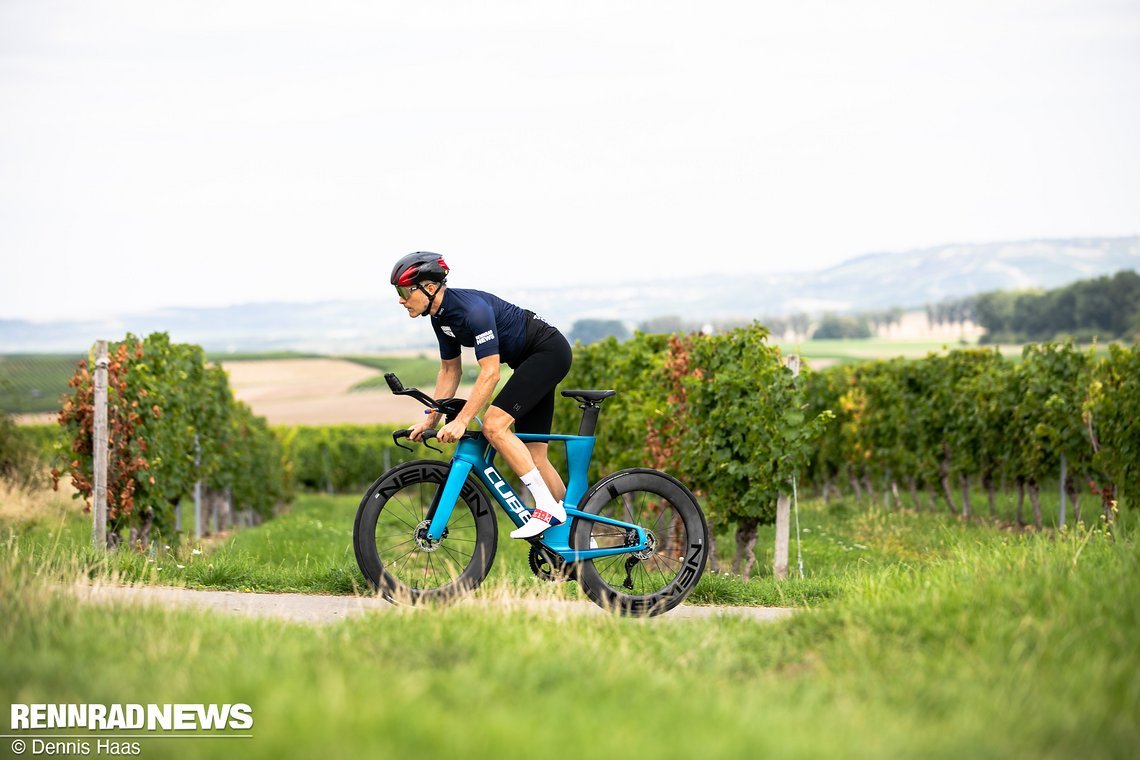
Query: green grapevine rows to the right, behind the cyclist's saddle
<point x="734" y="422"/>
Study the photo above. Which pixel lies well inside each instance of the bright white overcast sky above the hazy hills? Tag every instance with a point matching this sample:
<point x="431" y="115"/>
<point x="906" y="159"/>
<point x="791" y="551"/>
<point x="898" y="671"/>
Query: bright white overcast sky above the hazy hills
<point x="198" y="153"/>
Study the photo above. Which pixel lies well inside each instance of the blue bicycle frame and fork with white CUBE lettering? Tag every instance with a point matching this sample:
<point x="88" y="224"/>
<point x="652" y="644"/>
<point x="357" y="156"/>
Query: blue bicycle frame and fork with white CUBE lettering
<point x="476" y="455"/>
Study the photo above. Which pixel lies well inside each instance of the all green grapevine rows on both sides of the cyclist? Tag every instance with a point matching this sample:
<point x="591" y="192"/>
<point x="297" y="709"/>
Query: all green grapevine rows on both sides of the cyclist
<point x="956" y="431"/>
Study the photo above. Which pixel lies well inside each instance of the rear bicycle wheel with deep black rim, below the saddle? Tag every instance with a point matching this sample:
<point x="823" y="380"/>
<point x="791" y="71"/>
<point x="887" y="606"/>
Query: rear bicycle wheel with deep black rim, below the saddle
<point x="658" y="578"/>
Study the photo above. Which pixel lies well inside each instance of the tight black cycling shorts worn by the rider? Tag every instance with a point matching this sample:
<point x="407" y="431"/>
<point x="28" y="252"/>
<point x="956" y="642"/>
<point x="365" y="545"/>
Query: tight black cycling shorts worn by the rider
<point x="530" y="395"/>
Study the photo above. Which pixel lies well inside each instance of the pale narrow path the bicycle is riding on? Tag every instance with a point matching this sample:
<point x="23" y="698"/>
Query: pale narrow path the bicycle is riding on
<point x="327" y="609"/>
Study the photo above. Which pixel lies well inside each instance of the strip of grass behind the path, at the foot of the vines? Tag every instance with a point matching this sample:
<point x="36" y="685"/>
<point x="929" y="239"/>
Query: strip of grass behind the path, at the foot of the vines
<point x="310" y="550"/>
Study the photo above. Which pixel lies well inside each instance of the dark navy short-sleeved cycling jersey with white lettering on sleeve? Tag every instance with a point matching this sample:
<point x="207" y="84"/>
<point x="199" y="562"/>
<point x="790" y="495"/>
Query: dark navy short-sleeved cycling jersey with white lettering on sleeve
<point x="481" y="321"/>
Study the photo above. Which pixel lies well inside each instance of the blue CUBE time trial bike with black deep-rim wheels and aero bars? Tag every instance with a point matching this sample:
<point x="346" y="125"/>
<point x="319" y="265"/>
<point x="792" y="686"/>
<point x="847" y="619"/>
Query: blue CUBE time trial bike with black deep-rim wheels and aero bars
<point x="637" y="542"/>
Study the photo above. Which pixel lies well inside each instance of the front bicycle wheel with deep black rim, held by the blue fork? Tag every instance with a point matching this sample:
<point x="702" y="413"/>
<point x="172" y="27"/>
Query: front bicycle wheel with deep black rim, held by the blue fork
<point x="390" y="544"/>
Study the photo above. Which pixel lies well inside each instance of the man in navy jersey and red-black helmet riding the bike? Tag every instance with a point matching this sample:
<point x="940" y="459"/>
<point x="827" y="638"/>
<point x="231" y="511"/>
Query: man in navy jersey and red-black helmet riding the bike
<point x="500" y="333"/>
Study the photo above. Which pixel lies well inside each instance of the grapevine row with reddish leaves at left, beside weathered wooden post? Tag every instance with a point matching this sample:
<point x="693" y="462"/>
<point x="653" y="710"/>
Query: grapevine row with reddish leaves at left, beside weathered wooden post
<point x="174" y="424"/>
